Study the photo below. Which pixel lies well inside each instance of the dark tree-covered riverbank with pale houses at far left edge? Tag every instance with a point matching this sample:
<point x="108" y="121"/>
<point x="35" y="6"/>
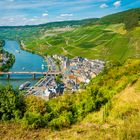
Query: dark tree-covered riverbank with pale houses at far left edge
<point x="7" y="59"/>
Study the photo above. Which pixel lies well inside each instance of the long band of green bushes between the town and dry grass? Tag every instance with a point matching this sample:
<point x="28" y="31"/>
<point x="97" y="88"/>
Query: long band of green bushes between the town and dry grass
<point x="34" y="112"/>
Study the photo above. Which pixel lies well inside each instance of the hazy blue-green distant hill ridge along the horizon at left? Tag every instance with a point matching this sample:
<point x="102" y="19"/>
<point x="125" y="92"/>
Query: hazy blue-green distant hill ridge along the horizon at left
<point x="17" y="32"/>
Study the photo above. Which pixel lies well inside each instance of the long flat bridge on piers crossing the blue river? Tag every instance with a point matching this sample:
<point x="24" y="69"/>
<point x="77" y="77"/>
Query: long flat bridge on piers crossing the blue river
<point x="30" y="73"/>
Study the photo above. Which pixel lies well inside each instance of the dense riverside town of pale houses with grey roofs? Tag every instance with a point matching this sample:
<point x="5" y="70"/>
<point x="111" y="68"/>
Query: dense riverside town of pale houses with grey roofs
<point x="75" y="74"/>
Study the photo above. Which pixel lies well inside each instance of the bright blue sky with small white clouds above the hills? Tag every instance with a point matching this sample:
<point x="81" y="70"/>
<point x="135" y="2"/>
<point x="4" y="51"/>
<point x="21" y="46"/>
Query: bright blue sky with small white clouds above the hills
<point x="33" y="12"/>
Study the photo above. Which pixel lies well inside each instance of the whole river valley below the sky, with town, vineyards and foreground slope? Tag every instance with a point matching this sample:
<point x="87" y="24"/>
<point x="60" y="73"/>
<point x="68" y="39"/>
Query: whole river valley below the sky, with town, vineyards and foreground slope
<point x="94" y="95"/>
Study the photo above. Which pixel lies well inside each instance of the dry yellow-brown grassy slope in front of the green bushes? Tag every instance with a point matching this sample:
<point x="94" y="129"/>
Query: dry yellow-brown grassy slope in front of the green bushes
<point x="122" y="122"/>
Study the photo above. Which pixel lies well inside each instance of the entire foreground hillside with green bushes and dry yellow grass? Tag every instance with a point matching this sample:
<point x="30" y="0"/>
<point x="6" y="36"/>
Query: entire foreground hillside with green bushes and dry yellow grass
<point x="109" y="108"/>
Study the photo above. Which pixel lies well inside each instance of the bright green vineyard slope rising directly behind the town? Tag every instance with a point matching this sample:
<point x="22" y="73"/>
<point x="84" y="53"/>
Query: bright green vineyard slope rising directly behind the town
<point x="96" y="41"/>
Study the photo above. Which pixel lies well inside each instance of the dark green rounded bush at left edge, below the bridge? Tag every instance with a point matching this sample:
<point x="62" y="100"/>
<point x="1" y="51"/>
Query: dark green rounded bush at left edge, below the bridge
<point x="11" y="104"/>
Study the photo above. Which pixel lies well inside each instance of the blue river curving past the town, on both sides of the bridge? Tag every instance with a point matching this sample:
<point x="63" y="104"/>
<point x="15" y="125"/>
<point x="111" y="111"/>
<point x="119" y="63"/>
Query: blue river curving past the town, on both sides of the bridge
<point x="25" y="61"/>
